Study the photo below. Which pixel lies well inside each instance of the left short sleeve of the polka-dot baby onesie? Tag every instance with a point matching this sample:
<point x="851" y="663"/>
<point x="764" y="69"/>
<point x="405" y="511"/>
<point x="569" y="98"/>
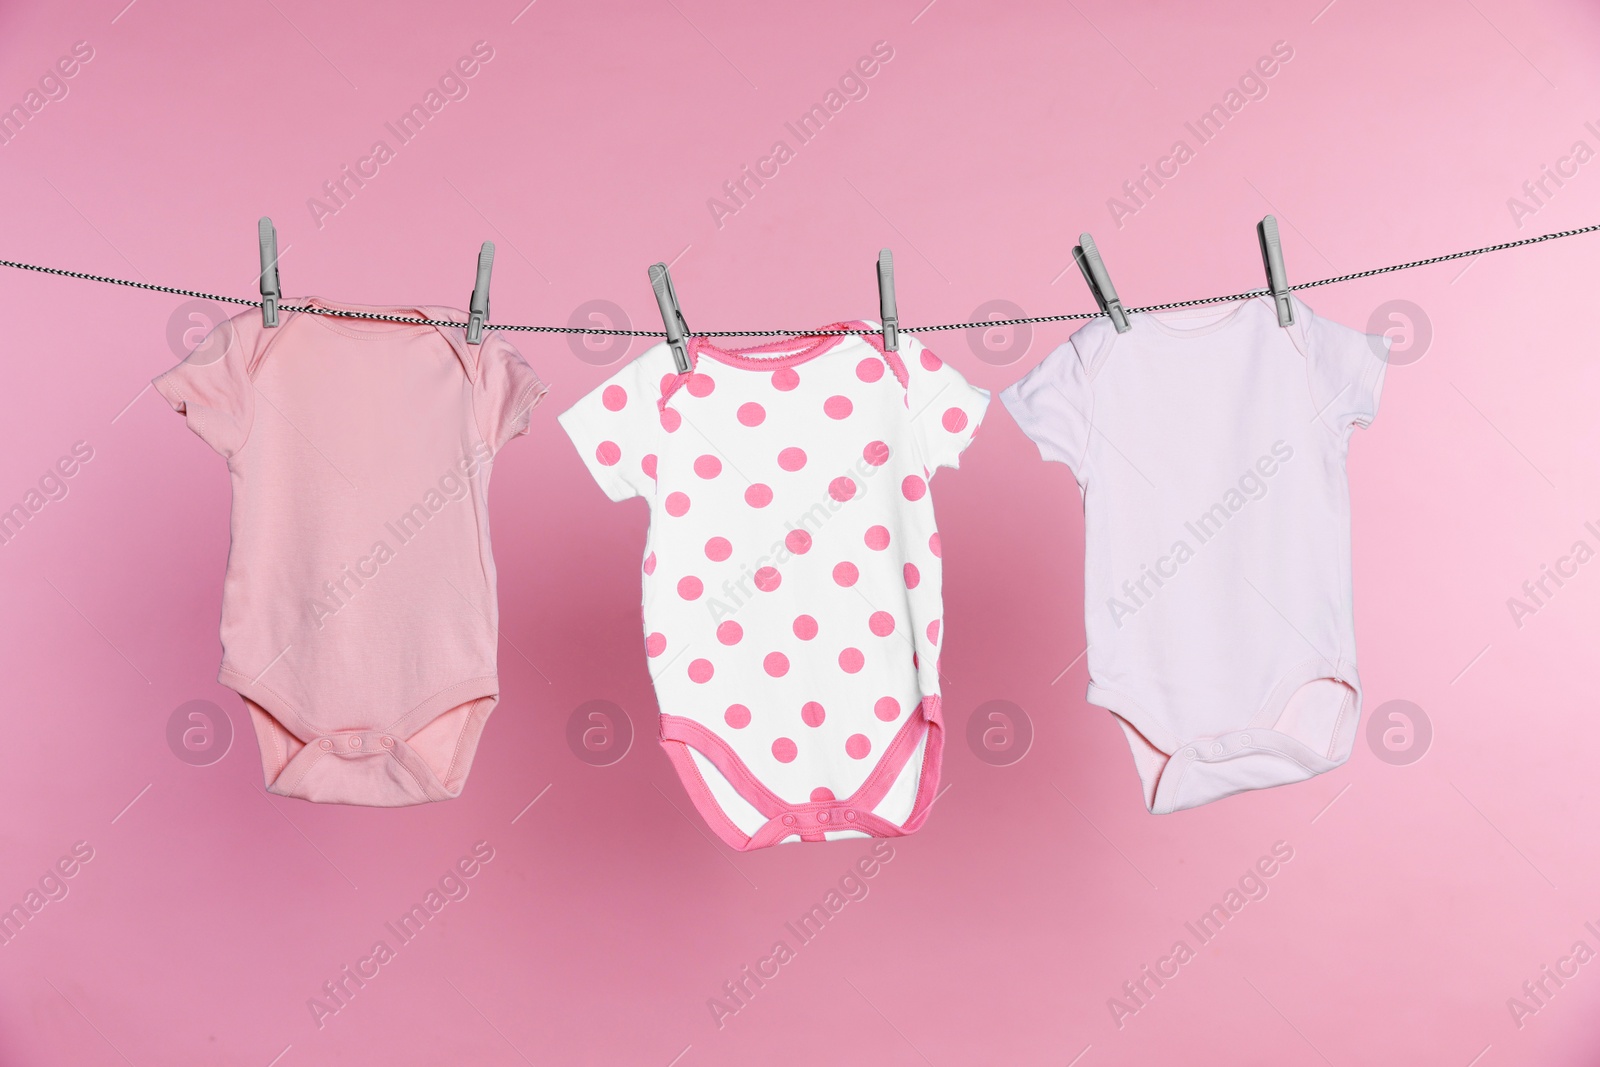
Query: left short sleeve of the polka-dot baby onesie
<point x="617" y="428"/>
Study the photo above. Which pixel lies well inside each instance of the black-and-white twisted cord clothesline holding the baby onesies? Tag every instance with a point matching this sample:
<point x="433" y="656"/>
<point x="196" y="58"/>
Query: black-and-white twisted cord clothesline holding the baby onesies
<point x="791" y="334"/>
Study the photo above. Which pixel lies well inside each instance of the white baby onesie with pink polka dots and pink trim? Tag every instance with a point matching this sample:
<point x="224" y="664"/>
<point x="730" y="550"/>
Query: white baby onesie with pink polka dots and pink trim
<point x="793" y="586"/>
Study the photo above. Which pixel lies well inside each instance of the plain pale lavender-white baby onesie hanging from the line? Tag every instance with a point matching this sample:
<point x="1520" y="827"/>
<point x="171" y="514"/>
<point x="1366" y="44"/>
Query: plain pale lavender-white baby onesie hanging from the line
<point x="1209" y="447"/>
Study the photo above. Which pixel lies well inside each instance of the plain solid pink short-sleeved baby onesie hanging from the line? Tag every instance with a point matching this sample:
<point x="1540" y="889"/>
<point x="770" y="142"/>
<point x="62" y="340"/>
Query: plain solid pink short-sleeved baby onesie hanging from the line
<point x="359" y="612"/>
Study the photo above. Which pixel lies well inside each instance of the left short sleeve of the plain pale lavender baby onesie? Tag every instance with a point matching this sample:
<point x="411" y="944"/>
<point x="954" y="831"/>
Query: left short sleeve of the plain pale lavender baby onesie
<point x="1055" y="402"/>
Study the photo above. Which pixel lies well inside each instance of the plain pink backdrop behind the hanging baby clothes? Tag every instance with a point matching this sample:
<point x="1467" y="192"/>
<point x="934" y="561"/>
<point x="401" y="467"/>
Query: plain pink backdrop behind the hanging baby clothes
<point x="1420" y="897"/>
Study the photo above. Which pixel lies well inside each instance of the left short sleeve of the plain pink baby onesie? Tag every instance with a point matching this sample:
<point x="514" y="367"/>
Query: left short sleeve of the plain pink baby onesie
<point x="214" y="390"/>
